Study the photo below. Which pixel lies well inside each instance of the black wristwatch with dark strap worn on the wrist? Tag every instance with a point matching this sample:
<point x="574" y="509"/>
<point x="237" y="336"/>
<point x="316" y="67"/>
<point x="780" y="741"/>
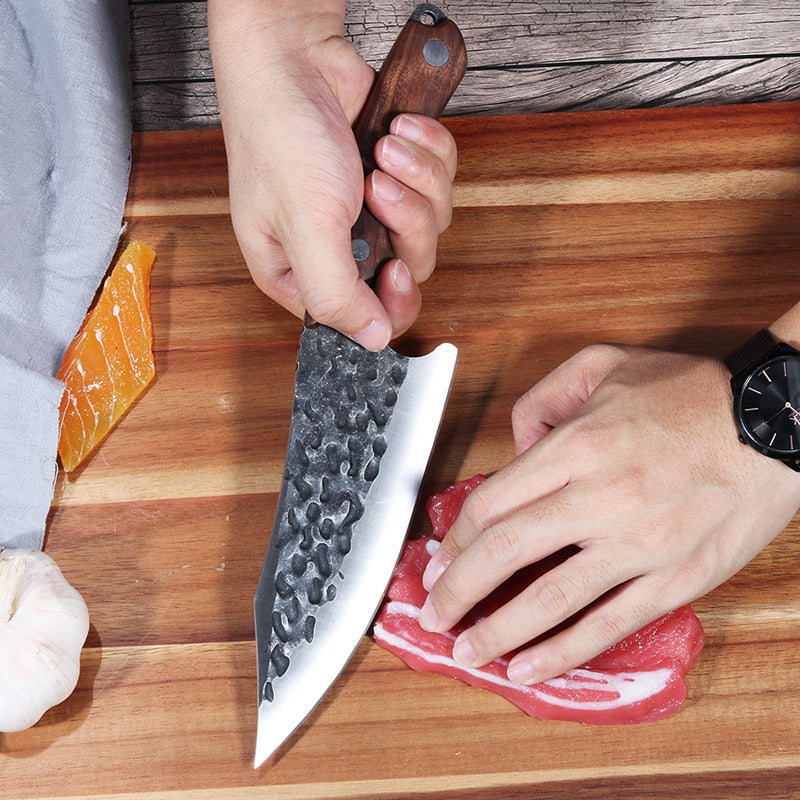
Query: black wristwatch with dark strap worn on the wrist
<point x="765" y="378"/>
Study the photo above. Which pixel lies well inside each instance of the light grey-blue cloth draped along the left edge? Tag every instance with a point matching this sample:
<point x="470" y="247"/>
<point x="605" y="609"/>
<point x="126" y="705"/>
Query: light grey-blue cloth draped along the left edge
<point x="65" y="143"/>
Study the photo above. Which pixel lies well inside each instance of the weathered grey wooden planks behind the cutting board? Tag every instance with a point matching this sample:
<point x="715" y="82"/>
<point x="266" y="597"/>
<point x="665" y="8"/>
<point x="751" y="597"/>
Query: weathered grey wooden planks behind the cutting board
<point x="526" y="56"/>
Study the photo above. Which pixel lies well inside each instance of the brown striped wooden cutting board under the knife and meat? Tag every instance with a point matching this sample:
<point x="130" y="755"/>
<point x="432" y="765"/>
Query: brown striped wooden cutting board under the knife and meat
<point x="671" y="228"/>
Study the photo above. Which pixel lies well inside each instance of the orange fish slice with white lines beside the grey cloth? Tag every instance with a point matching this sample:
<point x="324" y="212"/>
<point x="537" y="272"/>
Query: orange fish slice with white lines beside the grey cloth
<point x="110" y="361"/>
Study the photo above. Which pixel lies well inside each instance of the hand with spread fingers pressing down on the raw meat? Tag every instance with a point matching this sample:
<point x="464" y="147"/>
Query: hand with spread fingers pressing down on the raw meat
<point x="631" y="457"/>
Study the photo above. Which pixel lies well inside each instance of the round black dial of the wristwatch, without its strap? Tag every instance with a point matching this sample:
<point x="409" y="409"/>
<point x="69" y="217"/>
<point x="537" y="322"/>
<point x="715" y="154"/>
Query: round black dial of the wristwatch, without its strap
<point x="768" y="407"/>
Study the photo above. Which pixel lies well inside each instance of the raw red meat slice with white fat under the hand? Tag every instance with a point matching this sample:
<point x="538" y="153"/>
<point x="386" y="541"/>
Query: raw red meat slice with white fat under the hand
<point x="641" y="679"/>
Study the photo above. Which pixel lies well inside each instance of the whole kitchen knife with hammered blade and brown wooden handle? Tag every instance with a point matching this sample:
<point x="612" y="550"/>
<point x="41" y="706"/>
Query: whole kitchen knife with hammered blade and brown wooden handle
<point x="362" y="430"/>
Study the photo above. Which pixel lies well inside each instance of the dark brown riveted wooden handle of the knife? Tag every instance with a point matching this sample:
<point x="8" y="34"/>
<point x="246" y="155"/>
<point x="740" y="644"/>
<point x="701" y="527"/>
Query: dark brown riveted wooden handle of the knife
<point x="419" y="75"/>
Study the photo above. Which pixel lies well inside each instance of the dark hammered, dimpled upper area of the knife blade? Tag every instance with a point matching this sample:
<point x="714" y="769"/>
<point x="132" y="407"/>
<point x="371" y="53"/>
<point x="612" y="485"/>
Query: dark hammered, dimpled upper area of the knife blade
<point x="344" y="398"/>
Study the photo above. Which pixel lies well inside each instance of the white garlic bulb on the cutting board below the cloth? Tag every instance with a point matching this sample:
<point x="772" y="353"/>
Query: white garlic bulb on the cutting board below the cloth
<point x="43" y="625"/>
